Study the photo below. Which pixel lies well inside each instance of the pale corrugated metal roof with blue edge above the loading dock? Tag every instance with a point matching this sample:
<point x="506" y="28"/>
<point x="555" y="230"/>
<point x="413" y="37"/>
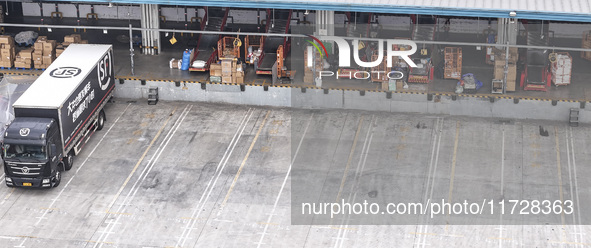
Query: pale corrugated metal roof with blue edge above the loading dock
<point x="559" y="10"/>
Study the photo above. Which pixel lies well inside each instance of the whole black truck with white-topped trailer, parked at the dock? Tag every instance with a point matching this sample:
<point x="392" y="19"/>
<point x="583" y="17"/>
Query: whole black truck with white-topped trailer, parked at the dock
<point x="56" y="116"/>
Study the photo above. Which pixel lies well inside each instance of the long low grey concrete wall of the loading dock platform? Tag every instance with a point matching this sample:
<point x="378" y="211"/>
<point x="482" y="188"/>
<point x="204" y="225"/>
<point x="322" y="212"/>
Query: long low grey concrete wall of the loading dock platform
<point x="339" y="99"/>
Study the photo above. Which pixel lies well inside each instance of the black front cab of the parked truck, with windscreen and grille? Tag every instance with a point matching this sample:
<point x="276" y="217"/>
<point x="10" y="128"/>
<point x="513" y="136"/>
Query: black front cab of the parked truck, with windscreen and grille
<point x="31" y="154"/>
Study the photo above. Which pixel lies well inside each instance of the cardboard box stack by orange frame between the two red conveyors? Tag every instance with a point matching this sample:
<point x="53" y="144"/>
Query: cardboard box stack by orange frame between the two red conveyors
<point x="228" y="71"/>
